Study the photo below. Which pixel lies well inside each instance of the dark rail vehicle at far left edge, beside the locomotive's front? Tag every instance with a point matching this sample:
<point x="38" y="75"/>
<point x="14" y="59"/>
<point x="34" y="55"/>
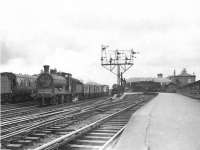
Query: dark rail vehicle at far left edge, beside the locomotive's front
<point x="17" y="87"/>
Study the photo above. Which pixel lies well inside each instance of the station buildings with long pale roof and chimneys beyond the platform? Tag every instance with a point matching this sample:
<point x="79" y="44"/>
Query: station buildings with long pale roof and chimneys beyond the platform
<point x="160" y="83"/>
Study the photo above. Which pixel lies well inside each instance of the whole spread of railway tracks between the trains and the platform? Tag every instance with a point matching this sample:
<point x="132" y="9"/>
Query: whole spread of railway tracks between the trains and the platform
<point x="91" y="123"/>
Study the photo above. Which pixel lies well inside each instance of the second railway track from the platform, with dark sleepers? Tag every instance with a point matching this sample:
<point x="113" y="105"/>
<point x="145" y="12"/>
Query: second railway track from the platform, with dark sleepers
<point x="65" y="126"/>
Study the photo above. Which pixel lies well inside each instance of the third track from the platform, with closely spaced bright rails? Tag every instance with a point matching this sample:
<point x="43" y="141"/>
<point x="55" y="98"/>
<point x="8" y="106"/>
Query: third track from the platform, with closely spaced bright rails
<point x="17" y="126"/>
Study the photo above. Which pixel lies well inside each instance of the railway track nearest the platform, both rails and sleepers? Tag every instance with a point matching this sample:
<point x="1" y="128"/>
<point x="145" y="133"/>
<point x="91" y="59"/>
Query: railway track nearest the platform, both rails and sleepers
<point x="98" y="135"/>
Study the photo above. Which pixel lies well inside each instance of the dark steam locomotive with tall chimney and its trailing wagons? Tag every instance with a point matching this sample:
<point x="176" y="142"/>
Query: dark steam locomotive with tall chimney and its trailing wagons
<point x="59" y="87"/>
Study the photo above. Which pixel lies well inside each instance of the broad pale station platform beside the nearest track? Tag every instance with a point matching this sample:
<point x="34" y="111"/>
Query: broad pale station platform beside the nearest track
<point x="168" y="122"/>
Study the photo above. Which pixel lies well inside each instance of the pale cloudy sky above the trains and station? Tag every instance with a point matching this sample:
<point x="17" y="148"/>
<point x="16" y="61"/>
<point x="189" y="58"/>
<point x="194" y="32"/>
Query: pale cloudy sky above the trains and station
<point x="68" y="34"/>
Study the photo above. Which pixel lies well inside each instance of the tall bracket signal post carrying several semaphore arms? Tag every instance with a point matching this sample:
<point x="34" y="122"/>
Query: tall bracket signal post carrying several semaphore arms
<point x="117" y="61"/>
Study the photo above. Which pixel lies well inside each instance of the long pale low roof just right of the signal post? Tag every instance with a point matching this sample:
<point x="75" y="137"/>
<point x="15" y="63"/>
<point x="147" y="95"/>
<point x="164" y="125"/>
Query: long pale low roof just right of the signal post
<point x="140" y="79"/>
